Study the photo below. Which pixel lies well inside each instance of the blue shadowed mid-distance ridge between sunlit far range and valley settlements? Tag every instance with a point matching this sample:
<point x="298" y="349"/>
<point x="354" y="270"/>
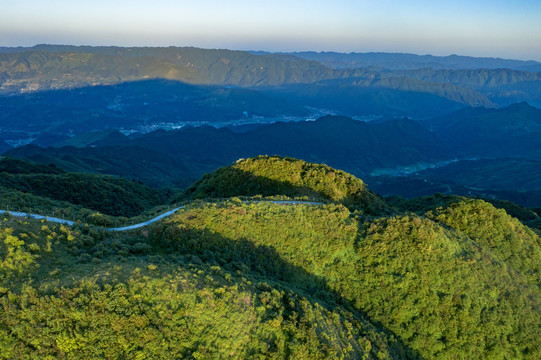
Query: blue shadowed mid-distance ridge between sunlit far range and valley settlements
<point x="147" y="104"/>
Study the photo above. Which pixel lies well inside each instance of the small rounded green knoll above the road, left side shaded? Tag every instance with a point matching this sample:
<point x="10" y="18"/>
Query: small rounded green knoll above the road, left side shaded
<point x="274" y="175"/>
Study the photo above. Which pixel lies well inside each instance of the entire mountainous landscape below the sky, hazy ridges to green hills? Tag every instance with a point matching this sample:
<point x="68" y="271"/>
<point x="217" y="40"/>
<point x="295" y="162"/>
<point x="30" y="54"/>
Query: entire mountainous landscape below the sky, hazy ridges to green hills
<point x="181" y="202"/>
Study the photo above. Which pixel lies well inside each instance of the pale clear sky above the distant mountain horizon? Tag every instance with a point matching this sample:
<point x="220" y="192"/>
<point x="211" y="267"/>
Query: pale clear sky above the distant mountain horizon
<point x="495" y="28"/>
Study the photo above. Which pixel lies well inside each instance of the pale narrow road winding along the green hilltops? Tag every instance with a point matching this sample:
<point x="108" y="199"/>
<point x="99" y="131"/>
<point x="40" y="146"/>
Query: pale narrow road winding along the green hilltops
<point x="145" y="223"/>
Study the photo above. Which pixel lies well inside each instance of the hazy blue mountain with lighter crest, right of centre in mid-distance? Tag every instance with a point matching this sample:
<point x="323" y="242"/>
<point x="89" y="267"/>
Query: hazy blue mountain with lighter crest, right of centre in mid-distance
<point x="386" y="96"/>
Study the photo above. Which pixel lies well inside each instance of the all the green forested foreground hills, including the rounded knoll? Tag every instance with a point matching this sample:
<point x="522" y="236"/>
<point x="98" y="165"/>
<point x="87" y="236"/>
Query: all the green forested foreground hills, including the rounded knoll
<point x="357" y="276"/>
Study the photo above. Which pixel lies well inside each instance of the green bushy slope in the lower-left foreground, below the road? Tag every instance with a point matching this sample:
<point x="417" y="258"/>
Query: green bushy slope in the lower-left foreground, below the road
<point x="78" y="294"/>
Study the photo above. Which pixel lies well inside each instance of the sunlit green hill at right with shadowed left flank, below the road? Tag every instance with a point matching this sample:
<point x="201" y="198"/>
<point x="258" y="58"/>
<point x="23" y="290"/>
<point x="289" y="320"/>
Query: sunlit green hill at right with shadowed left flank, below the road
<point x="441" y="283"/>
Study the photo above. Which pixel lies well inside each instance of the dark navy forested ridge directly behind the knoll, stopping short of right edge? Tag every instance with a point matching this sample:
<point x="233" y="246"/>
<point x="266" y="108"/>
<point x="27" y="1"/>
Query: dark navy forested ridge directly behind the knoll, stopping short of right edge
<point x="194" y="151"/>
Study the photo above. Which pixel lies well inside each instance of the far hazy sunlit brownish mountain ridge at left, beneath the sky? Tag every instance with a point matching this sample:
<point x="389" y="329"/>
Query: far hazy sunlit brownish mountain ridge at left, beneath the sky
<point x="50" y="66"/>
